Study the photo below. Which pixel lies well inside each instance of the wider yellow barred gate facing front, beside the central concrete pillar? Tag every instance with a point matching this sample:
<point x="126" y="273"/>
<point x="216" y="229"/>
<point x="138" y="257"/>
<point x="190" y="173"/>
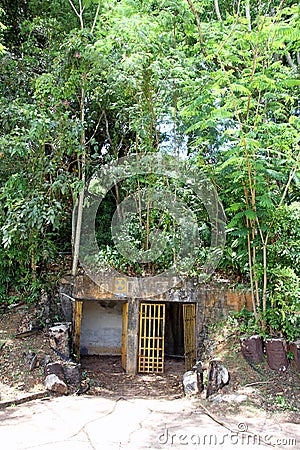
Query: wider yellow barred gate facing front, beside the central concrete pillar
<point x="151" y="338"/>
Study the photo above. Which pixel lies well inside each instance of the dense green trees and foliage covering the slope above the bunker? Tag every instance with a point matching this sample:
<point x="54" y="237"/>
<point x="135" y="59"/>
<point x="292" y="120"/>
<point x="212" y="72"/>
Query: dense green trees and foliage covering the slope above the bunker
<point x="85" y="82"/>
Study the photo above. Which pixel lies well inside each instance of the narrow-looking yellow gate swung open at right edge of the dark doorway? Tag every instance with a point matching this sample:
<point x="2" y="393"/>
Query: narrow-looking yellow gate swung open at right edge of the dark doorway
<point x="189" y="327"/>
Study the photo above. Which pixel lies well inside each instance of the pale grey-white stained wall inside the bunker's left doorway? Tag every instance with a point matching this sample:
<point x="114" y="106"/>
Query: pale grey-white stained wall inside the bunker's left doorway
<point x="101" y="328"/>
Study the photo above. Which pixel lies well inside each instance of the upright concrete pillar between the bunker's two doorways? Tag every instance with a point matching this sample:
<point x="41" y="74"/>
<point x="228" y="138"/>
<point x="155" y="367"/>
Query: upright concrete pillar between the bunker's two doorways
<point x="132" y="335"/>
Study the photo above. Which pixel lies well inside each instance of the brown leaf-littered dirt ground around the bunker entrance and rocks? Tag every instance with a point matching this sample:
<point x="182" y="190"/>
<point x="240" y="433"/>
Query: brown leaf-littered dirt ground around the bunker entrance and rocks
<point x="276" y="393"/>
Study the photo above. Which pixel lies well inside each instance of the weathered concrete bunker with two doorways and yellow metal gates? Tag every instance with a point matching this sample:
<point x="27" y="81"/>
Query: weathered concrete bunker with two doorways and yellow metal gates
<point x="143" y="332"/>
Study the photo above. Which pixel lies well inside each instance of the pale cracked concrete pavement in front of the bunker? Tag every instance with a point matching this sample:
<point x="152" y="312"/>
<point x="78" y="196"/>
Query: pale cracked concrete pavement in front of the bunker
<point x="82" y="423"/>
